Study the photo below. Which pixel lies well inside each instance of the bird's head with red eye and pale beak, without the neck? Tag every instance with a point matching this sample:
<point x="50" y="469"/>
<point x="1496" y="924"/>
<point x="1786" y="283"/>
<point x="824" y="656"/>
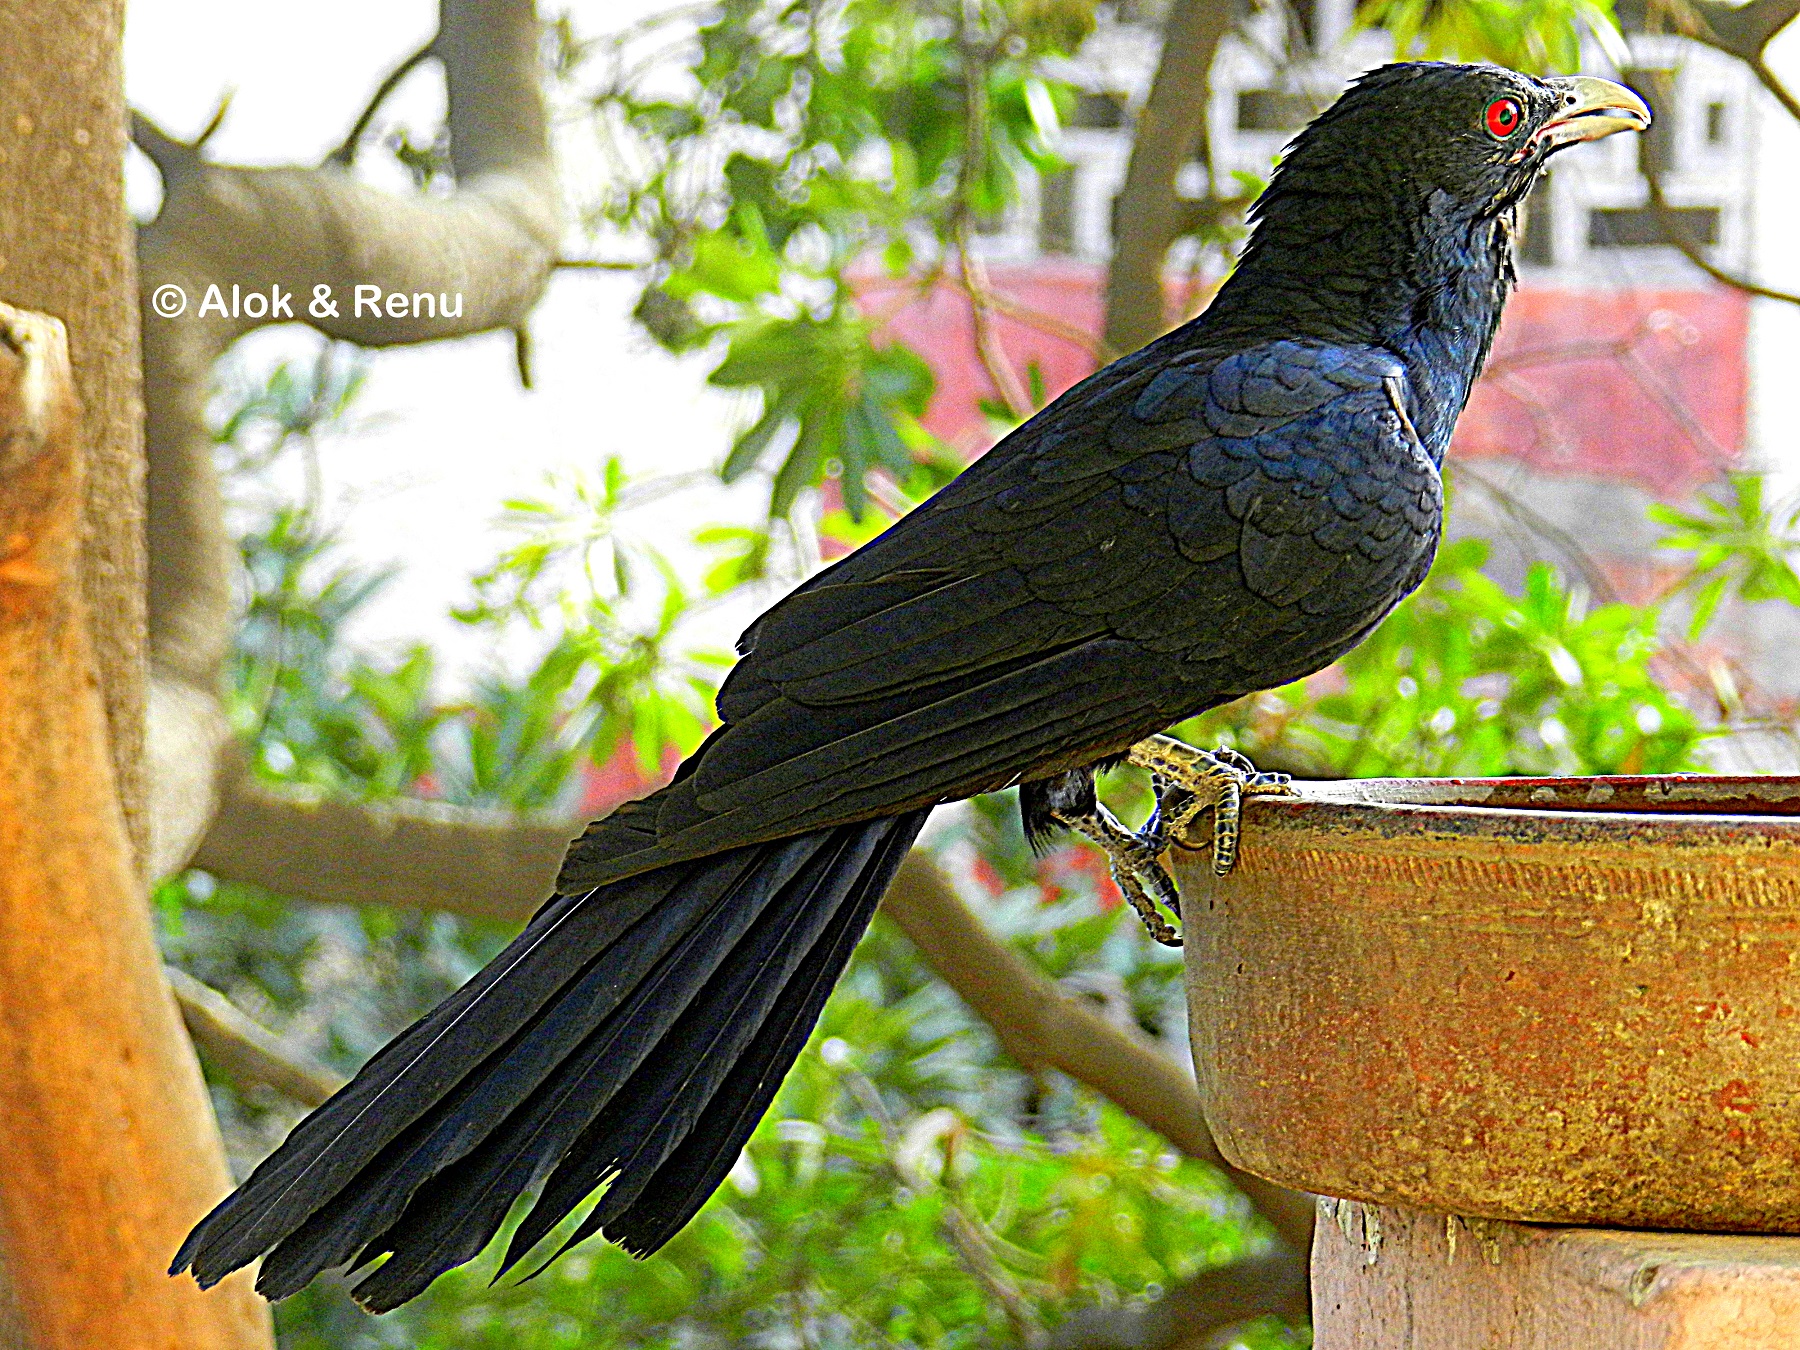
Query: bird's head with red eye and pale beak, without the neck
<point x="1477" y="134"/>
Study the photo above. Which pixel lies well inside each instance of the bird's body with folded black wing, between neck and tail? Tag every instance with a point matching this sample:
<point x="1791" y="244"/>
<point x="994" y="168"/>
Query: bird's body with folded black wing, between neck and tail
<point x="1173" y="534"/>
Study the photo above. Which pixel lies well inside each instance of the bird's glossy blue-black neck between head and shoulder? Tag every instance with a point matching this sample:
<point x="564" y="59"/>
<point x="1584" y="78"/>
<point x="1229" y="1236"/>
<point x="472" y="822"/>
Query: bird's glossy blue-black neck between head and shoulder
<point x="1428" y="287"/>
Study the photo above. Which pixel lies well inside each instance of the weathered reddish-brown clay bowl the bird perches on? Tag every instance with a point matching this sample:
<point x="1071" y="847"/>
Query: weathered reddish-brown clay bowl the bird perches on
<point x="1540" y="1000"/>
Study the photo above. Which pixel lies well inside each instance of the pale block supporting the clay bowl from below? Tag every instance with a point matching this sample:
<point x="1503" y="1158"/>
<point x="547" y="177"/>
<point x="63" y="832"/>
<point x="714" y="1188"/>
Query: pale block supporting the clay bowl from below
<point x="1390" y="1279"/>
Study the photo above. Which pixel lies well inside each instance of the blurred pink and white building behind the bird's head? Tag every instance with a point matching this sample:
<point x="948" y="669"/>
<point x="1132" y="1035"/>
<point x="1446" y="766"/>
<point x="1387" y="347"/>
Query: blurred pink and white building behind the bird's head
<point x="1621" y="373"/>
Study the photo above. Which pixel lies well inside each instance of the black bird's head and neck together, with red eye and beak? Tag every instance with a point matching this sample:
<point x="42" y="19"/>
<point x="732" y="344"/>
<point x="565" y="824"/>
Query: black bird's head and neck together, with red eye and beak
<point x="1392" y="213"/>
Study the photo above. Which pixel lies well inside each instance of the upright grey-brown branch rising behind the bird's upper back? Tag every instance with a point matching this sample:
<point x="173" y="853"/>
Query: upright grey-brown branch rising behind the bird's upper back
<point x="1147" y="215"/>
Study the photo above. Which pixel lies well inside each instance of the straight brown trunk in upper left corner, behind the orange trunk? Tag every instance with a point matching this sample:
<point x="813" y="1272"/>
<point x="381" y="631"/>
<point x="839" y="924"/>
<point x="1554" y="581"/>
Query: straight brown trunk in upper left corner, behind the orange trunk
<point x="66" y="249"/>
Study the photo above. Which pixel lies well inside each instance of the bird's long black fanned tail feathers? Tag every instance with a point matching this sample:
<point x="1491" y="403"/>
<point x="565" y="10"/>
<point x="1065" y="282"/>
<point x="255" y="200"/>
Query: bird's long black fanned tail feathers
<point x="636" y="1032"/>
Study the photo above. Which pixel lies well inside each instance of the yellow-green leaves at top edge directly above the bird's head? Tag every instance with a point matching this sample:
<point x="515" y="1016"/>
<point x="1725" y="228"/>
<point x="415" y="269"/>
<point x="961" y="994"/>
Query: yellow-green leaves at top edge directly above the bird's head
<point x="1527" y="35"/>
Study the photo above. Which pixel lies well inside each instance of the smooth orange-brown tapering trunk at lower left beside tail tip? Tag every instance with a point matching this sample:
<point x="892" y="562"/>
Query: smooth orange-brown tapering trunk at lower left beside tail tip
<point x="105" y="1128"/>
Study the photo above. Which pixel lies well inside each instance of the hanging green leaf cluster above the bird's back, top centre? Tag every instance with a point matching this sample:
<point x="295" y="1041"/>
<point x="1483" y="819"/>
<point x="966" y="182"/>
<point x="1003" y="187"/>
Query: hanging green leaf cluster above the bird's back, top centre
<point x="816" y="138"/>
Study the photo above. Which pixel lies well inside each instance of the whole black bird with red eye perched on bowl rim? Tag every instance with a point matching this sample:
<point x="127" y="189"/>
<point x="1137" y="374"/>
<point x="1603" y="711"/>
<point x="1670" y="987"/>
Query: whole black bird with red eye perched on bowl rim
<point x="1223" y="512"/>
